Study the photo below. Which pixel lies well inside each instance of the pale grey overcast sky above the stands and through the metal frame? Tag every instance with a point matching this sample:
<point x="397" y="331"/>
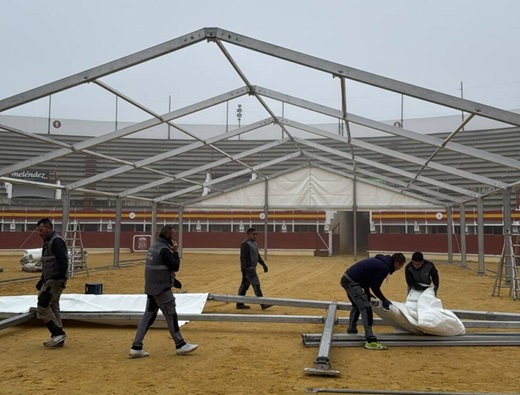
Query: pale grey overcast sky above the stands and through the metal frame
<point x="434" y="44"/>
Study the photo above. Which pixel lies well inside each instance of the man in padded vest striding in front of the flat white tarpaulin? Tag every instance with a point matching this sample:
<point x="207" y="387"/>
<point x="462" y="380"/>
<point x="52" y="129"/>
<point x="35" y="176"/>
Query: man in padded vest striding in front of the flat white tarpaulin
<point x="162" y="262"/>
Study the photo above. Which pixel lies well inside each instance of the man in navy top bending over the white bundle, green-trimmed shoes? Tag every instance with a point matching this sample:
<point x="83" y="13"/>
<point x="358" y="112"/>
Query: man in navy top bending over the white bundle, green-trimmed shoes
<point x="362" y="281"/>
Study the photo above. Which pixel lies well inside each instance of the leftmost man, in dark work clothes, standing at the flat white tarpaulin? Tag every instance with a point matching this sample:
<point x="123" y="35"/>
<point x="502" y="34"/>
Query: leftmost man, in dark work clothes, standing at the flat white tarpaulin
<point x="55" y="264"/>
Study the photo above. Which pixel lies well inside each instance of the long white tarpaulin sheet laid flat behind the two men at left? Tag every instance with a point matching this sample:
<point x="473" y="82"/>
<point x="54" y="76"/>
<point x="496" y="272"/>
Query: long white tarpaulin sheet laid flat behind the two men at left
<point x="187" y="303"/>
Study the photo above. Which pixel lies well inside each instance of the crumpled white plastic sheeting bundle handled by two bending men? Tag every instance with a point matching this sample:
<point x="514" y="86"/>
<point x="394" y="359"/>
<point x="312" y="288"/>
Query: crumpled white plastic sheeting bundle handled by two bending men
<point x="422" y="313"/>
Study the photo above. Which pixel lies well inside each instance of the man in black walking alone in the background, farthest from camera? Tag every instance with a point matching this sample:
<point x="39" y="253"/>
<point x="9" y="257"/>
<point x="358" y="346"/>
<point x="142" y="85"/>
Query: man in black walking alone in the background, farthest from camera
<point x="249" y="259"/>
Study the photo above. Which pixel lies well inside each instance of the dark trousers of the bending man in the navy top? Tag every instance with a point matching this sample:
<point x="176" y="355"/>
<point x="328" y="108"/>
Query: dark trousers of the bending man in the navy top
<point x="360" y="305"/>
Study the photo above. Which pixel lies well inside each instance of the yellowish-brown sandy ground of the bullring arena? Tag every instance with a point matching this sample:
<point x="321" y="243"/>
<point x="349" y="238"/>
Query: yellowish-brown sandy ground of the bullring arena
<point x="247" y="358"/>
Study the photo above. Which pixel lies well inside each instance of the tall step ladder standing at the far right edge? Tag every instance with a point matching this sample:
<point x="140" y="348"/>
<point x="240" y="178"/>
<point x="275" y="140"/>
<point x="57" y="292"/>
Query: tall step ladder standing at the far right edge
<point x="508" y="273"/>
